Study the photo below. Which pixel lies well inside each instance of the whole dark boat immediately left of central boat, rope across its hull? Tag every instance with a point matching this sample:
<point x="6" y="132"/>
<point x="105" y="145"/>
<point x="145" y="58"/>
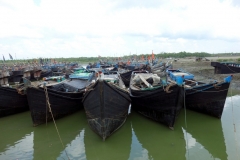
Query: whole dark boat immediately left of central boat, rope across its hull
<point x="64" y="99"/>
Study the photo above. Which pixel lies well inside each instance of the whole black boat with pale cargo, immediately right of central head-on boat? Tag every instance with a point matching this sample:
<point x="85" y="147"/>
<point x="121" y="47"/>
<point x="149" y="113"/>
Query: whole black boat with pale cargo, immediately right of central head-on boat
<point x="154" y="99"/>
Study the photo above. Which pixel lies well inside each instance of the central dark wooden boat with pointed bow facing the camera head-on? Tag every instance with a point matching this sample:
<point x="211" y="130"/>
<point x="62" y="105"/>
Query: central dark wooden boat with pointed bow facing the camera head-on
<point x="106" y="105"/>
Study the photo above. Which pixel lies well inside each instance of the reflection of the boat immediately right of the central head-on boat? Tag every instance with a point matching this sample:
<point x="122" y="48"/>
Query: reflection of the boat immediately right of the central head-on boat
<point x="157" y="141"/>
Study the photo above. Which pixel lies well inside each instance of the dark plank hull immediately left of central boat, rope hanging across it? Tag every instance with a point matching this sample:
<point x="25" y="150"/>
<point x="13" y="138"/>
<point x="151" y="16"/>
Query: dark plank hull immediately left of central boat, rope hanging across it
<point x="62" y="104"/>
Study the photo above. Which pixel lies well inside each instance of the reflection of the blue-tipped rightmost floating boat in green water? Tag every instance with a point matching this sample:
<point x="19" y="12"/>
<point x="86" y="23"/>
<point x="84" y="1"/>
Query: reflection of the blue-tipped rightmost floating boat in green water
<point x="204" y="137"/>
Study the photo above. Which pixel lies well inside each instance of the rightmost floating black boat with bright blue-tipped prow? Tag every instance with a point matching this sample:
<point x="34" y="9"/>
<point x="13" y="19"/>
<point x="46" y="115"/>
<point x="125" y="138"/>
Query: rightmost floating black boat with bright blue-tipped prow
<point x="206" y="98"/>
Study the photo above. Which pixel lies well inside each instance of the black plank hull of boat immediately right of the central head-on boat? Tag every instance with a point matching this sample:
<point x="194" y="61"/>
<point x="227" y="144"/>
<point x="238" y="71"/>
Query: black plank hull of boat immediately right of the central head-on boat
<point x="158" y="105"/>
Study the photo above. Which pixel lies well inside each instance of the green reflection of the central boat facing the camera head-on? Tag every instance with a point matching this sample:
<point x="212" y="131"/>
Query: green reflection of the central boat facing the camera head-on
<point x="115" y="148"/>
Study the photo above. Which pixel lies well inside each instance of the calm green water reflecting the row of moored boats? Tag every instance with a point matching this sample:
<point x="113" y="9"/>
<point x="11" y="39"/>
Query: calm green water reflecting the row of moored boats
<point x="196" y="136"/>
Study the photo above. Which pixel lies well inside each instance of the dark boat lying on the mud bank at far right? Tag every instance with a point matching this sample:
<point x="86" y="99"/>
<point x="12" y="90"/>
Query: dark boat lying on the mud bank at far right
<point x="225" y="67"/>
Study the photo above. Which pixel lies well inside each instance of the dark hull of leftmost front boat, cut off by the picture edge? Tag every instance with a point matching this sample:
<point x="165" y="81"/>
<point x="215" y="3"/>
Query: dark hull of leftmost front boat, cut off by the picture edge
<point x="11" y="102"/>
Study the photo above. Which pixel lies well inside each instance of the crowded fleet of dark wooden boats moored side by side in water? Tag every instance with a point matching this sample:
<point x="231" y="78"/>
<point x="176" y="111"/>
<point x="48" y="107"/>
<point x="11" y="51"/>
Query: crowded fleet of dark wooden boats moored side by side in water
<point x="107" y="93"/>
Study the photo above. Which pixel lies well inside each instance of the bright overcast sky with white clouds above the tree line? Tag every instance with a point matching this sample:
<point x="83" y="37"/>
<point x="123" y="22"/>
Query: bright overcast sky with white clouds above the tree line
<point x="77" y="28"/>
